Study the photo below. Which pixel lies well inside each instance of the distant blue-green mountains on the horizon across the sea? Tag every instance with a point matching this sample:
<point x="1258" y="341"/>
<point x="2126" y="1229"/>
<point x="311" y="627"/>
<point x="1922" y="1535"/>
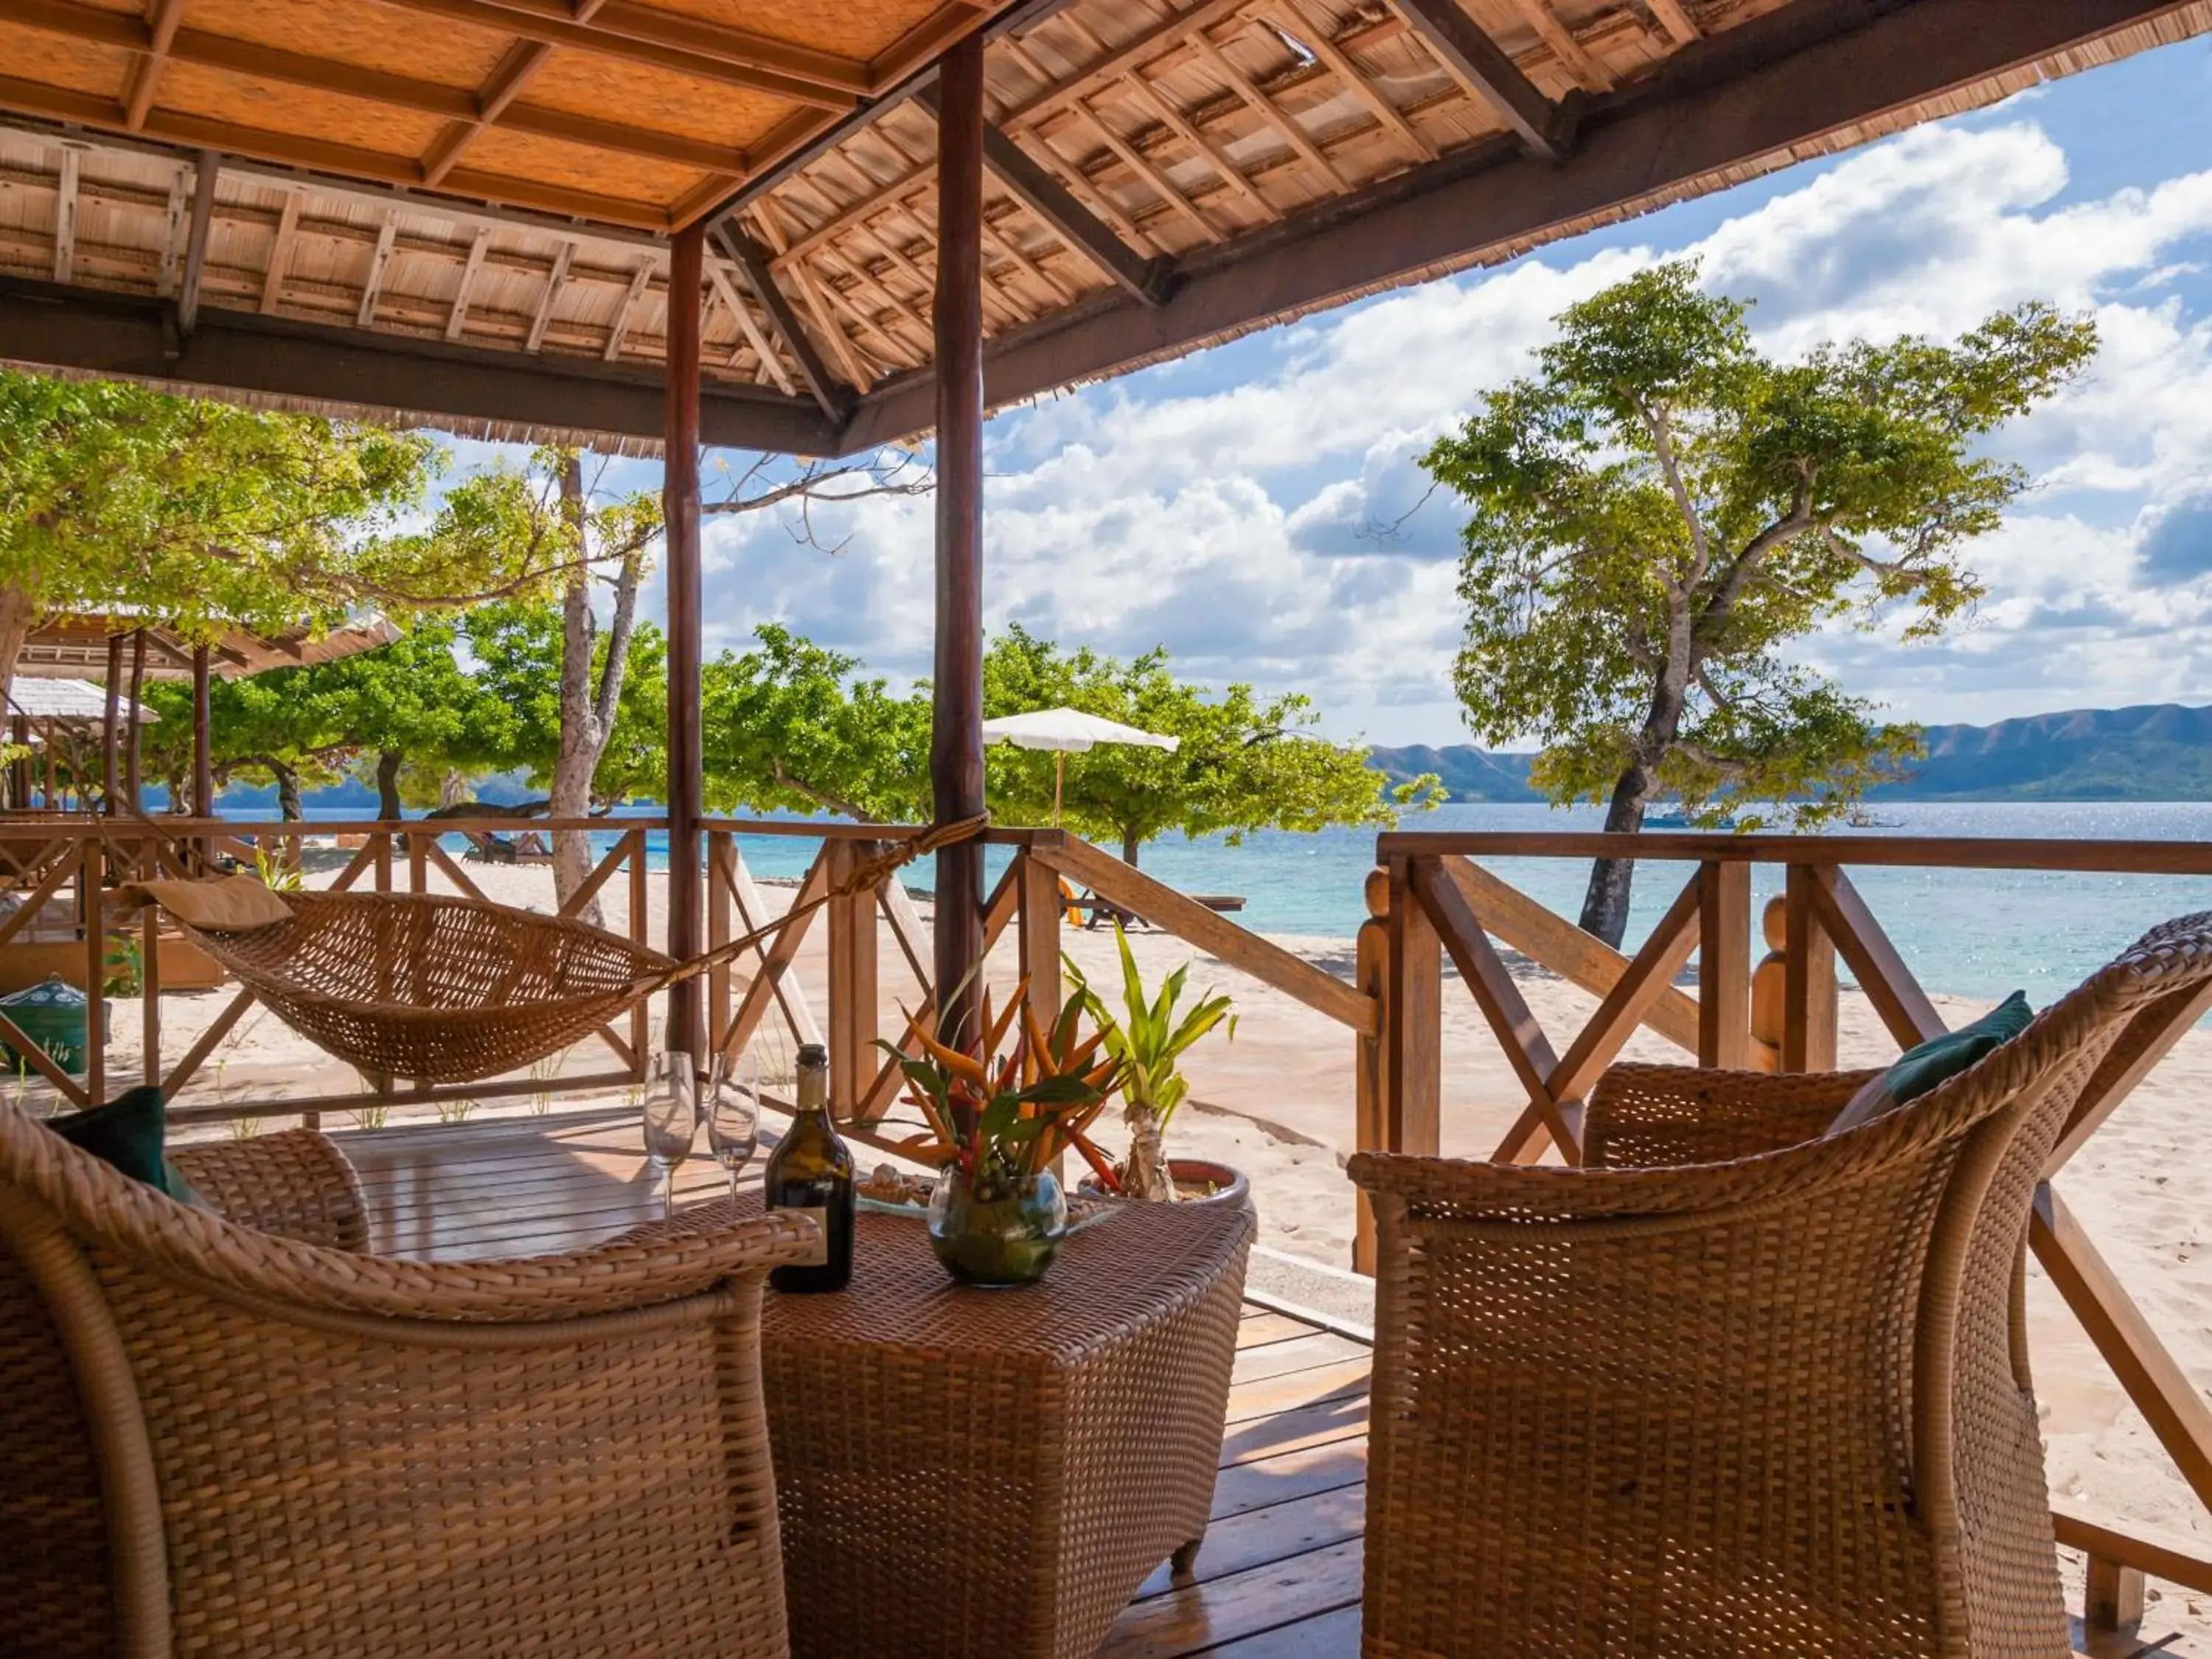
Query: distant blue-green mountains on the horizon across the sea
<point x="2149" y="753"/>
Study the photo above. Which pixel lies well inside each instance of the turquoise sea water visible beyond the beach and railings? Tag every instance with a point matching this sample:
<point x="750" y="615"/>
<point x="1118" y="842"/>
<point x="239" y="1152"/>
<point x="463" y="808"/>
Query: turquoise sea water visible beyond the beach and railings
<point x="1968" y="932"/>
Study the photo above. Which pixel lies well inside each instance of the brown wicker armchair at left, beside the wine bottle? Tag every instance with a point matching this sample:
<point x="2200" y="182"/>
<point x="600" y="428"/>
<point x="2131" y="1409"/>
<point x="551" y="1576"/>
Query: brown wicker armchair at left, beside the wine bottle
<point x="222" y="1441"/>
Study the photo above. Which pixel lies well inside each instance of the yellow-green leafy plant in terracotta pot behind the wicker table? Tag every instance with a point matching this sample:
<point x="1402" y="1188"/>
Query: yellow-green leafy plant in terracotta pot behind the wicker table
<point x="1149" y="1043"/>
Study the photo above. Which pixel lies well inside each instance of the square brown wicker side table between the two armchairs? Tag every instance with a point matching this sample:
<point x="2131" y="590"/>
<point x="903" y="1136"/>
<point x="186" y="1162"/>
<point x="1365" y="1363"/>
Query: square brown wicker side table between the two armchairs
<point x="994" y="1472"/>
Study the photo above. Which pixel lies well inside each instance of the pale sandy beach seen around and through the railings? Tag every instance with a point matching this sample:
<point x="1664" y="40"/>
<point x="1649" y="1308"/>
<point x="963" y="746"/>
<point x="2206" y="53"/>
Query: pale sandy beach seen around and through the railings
<point x="1277" y="1103"/>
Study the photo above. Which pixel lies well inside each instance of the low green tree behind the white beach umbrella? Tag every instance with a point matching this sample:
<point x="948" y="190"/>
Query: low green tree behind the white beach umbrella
<point x="1244" y="762"/>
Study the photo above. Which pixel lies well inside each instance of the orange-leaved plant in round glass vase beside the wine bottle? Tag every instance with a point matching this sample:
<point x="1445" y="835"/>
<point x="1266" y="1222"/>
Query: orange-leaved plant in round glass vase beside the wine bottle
<point x="999" y="1120"/>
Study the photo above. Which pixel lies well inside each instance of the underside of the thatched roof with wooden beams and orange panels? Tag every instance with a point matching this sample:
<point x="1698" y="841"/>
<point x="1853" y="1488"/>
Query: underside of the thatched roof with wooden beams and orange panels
<point x="459" y="211"/>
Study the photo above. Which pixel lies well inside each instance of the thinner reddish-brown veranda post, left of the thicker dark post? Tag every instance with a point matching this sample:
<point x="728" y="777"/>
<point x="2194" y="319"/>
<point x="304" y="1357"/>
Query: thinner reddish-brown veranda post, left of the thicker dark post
<point x="680" y="514"/>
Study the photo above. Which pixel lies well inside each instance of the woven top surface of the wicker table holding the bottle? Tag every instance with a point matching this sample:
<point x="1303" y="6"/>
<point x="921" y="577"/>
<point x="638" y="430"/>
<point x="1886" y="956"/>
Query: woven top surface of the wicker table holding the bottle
<point x="1140" y="1264"/>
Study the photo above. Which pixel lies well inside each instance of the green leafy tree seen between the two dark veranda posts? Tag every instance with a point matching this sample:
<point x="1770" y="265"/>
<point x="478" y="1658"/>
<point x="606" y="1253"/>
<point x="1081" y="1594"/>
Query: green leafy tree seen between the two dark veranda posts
<point x="789" y="727"/>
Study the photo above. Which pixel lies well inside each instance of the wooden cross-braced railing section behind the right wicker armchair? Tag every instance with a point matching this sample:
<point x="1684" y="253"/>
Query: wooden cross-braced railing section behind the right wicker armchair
<point x="1434" y="899"/>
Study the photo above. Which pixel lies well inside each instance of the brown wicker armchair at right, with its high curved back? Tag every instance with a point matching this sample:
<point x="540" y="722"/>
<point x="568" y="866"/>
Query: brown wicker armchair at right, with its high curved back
<point x="1738" y="1390"/>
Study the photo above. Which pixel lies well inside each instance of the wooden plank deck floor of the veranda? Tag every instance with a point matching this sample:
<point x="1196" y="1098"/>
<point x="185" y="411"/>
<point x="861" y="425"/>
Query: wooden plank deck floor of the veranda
<point x="1280" y="1576"/>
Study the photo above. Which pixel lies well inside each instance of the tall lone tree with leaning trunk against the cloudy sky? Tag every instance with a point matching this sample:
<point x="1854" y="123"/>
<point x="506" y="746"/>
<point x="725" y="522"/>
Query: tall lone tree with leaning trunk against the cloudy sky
<point x="1660" y="510"/>
